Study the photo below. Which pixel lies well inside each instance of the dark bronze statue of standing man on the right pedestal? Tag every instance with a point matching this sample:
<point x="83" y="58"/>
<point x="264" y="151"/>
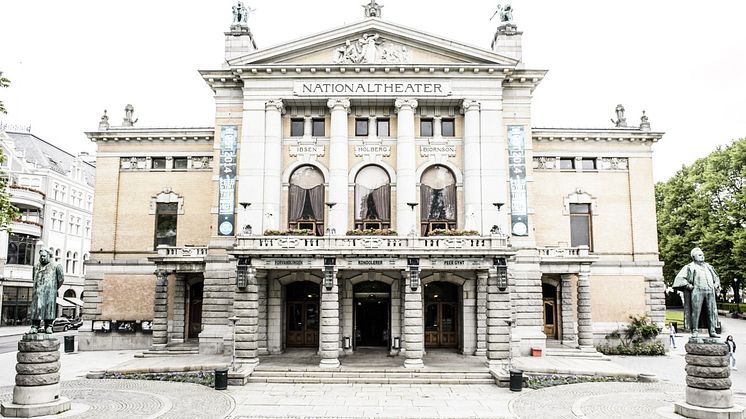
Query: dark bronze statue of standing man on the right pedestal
<point x="700" y="284"/>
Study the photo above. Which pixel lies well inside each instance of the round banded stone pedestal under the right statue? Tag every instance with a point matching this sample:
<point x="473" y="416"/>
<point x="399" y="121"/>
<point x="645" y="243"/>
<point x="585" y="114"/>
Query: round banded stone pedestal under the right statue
<point x="708" y="392"/>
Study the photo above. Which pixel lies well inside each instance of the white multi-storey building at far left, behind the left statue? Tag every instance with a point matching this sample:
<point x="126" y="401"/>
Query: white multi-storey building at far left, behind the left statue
<point x="53" y="191"/>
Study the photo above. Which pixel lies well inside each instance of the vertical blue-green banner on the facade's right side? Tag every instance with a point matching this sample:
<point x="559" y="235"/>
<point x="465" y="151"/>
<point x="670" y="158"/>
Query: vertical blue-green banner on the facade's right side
<point x="518" y="193"/>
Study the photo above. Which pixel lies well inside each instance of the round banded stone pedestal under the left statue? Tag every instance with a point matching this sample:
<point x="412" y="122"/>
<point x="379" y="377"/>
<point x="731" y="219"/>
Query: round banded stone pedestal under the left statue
<point x="37" y="390"/>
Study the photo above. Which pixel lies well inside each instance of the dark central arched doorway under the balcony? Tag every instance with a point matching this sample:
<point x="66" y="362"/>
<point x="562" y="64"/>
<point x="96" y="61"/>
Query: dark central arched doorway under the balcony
<point x="372" y="307"/>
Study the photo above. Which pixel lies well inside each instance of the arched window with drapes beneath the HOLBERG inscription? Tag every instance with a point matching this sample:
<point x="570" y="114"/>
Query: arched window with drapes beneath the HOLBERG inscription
<point x="372" y="199"/>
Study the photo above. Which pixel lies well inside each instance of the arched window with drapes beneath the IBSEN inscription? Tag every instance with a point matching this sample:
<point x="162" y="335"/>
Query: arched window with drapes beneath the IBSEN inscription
<point x="306" y="200"/>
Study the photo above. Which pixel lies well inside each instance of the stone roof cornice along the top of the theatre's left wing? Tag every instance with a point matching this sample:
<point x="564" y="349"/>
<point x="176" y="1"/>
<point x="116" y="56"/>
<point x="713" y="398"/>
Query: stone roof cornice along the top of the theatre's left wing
<point x="145" y="134"/>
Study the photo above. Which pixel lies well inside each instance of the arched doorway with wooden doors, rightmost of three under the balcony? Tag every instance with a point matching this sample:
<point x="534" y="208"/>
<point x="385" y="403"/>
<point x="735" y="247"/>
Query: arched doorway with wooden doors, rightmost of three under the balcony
<point x="441" y="315"/>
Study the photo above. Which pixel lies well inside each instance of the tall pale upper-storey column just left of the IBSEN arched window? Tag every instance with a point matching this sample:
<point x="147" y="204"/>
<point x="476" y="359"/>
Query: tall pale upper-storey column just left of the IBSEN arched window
<point x="272" y="164"/>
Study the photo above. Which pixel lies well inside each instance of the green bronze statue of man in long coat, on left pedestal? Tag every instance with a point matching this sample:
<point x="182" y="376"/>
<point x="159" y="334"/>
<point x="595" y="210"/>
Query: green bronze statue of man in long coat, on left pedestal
<point x="48" y="278"/>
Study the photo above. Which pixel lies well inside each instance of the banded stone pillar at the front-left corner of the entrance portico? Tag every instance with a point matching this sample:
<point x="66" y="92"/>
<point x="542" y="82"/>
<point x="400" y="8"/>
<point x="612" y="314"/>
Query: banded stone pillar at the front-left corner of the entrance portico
<point x="246" y="308"/>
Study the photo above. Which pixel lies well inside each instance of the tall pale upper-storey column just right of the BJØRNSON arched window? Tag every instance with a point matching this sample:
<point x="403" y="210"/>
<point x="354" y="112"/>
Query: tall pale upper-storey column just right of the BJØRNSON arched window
<point x="472" y="168"/>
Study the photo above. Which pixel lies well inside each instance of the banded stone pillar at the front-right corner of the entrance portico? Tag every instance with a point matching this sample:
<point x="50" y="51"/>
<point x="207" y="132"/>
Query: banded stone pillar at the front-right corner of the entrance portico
<point x="498" y="315"/>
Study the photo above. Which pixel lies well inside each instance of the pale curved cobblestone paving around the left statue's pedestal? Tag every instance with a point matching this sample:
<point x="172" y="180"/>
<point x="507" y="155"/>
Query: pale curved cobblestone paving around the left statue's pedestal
<point x="140" y="399"/>
